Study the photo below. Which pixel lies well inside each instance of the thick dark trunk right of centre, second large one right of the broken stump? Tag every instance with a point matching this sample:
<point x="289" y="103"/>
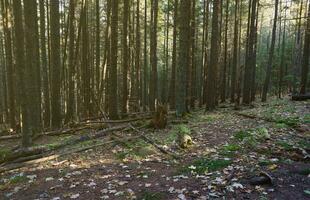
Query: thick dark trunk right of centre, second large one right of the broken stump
<point x="214" y="56"/>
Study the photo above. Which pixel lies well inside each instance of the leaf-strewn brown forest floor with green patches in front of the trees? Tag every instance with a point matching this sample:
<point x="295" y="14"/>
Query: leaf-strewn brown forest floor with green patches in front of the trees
<point x="234" y="156"/>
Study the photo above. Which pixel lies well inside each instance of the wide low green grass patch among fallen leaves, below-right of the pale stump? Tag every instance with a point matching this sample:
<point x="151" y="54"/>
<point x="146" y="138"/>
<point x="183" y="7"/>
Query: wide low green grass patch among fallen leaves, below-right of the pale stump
<point x="204" y="165"/>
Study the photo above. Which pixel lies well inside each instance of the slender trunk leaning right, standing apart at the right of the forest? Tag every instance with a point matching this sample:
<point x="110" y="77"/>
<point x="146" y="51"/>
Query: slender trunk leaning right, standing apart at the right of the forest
<point x="271" y="52"/>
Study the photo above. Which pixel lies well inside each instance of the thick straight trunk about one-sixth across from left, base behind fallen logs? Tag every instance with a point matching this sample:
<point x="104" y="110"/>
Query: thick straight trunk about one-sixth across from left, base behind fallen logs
<point x="55" y="63"/>
